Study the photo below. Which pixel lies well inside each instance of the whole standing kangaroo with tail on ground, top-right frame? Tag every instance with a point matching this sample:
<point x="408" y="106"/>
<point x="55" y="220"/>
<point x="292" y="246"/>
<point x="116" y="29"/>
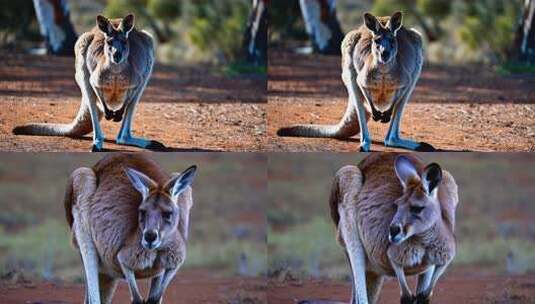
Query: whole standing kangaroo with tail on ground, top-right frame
<point x="381" y="63"/>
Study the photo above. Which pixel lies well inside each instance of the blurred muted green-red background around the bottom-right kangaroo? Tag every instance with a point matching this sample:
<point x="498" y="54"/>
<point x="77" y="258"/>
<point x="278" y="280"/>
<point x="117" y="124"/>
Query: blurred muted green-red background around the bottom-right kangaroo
<point x="495" y="231"/>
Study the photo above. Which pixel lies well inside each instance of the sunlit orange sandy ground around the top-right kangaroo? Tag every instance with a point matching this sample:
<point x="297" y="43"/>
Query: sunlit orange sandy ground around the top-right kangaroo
<point x="453" y="108"/>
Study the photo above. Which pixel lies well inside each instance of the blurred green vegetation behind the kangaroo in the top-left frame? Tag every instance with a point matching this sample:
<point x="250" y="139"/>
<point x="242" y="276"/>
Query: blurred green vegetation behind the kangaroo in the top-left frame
<point x="186" y="31"/>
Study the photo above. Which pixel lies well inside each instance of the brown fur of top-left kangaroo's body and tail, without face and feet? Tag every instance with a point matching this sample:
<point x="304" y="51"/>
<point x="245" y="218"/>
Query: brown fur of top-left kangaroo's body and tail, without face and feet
<point x="92" y="69"/>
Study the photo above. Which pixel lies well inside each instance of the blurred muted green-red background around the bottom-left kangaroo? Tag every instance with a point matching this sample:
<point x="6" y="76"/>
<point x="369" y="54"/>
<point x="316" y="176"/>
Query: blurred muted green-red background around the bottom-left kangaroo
<point x="228" y="226"/>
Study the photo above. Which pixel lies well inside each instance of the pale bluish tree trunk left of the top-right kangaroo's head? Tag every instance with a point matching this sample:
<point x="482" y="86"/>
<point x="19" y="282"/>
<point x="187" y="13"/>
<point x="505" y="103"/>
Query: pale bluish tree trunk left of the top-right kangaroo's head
<point x="322" y="25"/>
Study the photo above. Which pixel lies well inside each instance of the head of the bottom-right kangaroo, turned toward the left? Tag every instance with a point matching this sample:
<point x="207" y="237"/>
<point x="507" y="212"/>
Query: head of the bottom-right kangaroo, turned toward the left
<point x="418" y="208"/>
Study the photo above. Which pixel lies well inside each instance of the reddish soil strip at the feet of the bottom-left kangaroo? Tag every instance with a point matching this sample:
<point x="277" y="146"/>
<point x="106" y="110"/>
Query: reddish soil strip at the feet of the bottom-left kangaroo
<point x="196" y="287"/>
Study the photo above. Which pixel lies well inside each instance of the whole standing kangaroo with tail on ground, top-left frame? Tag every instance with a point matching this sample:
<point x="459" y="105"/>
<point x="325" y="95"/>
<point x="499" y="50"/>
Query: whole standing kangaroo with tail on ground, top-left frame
<point x="113" y="64"/>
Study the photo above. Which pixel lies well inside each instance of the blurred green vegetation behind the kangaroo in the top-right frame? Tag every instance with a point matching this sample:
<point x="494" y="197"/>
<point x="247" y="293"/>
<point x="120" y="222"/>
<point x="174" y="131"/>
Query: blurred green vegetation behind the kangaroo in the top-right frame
<point x="456" y="31"/>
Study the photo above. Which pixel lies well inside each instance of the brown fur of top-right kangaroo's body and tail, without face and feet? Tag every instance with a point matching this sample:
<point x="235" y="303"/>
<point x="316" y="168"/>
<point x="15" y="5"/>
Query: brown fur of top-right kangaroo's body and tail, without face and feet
<point x="384" y="84"/>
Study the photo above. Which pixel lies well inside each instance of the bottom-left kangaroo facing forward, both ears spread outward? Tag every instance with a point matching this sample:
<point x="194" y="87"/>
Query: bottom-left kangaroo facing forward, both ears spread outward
<point x="129" y="220"/>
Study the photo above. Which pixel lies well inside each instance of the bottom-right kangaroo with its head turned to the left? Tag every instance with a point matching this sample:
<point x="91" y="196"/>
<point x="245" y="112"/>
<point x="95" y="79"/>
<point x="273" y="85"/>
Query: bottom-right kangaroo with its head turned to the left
<point x="394" y="217"/>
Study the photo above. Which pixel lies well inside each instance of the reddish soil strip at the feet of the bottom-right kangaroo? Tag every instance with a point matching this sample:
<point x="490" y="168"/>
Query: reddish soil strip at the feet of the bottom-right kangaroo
<point x="455" y="288"/>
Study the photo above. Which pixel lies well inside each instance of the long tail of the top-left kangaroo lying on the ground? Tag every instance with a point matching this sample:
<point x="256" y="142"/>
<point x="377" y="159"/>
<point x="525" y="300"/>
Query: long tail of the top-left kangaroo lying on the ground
<point x="81" y="125"/>
